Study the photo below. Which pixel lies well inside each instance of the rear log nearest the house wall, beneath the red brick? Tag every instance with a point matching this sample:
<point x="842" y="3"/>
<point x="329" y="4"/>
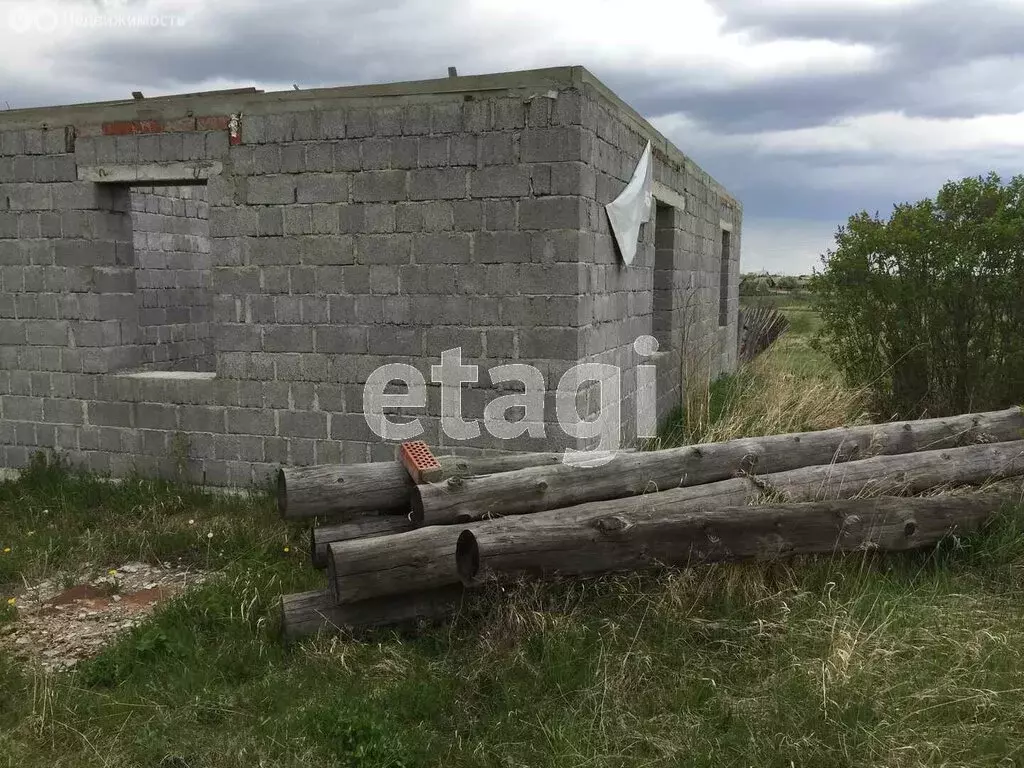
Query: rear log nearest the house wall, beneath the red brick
<point x="346" y="490"/>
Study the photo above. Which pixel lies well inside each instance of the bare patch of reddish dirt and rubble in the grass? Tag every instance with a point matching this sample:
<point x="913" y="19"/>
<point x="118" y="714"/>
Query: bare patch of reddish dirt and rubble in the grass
<point x="60" y="625"/>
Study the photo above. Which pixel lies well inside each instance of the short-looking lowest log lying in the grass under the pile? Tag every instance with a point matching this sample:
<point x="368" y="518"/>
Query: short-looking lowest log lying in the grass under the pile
<point x="307" y="614"/>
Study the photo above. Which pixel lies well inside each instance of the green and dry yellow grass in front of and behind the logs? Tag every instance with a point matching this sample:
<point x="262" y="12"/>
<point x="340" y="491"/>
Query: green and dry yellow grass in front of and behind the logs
<point x="905" y="661"/>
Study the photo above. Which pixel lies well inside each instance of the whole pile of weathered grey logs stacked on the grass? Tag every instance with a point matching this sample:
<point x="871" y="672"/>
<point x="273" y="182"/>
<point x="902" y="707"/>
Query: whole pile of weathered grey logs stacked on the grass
<point x="396" y="550"/>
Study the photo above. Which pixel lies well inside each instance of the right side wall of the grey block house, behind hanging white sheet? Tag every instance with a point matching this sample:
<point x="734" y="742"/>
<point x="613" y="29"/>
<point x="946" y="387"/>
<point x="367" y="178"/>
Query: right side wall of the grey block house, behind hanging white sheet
<point x="673" y="289"/>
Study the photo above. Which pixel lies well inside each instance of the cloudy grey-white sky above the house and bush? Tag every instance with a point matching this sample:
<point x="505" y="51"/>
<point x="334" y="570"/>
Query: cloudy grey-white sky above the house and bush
<point x="806" y="110"/>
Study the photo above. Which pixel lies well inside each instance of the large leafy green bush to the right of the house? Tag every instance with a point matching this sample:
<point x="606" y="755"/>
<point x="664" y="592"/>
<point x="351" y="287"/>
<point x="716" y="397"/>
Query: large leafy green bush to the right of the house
<point x="927" y="310"/>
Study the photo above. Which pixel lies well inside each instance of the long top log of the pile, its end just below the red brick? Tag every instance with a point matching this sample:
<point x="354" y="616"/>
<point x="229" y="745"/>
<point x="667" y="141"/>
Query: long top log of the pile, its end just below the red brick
<point x="539" y="489"/>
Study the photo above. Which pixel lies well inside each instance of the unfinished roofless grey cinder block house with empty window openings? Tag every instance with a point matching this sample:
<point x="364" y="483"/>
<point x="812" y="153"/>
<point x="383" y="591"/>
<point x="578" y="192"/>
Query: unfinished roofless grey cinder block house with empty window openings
<point x="203" y="283"/>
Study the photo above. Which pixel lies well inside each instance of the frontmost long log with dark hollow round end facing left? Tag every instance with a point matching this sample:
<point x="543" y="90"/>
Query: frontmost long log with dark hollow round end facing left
<point x="580" y="545"/>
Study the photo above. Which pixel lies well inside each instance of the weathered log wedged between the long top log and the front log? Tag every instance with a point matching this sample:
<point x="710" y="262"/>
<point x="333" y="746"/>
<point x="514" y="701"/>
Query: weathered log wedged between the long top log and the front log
<point x="422" y="560"/>
